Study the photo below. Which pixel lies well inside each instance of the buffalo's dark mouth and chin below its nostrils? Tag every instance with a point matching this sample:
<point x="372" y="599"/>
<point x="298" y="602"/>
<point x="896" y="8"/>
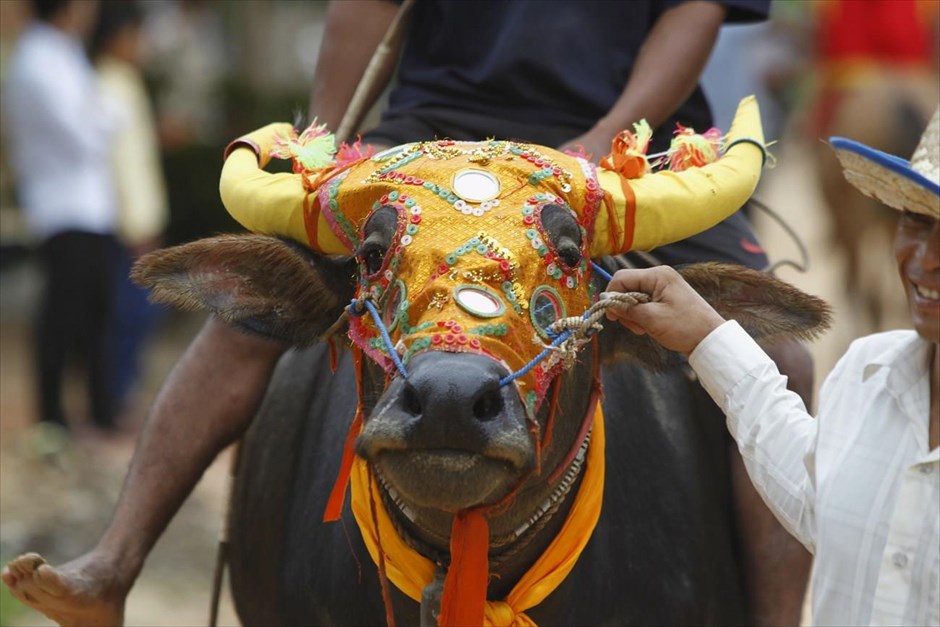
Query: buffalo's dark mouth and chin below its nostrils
<point x="446" y="479"/>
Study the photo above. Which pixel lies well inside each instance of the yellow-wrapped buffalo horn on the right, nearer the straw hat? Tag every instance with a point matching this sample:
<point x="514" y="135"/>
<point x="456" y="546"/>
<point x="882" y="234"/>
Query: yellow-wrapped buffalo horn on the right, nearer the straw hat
<point x="670" y="206"/>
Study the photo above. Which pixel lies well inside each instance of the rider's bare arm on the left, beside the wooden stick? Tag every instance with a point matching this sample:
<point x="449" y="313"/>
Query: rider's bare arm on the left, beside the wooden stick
<point x="353" y="31"/>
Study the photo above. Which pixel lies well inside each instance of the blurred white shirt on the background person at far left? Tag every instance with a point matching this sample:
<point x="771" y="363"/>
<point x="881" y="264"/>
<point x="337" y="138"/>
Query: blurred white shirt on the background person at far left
<point x="58" y="131"/>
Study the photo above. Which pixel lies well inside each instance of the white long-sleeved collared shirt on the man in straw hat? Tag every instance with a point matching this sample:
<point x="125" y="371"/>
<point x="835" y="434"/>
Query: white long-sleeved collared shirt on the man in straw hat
<point x="858" y="486"/>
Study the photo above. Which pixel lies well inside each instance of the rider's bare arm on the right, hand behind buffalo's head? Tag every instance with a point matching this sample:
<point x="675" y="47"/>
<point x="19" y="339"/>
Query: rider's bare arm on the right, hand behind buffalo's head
<point x="665" y="74"/>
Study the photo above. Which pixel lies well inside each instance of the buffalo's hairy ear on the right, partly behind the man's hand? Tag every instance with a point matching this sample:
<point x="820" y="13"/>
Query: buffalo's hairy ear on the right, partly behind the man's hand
<point x="766" y="307"/>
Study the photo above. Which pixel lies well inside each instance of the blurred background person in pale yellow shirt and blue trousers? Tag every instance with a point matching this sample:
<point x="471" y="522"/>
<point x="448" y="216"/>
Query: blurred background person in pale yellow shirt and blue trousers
<point x="138" y="175"/>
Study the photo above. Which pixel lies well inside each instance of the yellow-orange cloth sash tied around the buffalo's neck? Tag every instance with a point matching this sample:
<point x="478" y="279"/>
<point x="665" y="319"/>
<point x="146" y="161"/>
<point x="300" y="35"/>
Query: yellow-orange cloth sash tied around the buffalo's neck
<point x="410" y="571"/>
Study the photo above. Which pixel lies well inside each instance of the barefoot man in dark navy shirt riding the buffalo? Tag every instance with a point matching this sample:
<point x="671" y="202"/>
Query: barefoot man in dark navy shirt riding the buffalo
<point x="544" y="87"/>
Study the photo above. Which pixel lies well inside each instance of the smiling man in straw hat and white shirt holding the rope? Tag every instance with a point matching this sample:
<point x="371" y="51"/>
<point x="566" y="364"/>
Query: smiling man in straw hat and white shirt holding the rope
<point x="860" y="485"/>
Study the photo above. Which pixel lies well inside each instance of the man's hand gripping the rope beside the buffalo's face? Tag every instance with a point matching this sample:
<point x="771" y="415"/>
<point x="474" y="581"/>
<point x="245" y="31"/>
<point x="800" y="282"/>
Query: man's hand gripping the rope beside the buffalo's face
<point x="676" y="316"/>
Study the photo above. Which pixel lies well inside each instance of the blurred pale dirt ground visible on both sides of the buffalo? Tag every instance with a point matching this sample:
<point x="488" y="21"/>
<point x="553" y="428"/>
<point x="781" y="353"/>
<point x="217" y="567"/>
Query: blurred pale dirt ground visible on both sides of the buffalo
<point x="56" y="496"/>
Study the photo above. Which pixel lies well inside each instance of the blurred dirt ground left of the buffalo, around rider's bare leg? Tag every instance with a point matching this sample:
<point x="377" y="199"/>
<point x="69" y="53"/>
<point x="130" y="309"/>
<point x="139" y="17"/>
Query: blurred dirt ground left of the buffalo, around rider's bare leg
<point x="56" y="496"/>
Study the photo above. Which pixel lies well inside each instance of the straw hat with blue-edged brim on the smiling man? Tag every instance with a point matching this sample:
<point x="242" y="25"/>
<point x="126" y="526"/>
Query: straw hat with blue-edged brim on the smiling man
<point x="907" y="186"/>
